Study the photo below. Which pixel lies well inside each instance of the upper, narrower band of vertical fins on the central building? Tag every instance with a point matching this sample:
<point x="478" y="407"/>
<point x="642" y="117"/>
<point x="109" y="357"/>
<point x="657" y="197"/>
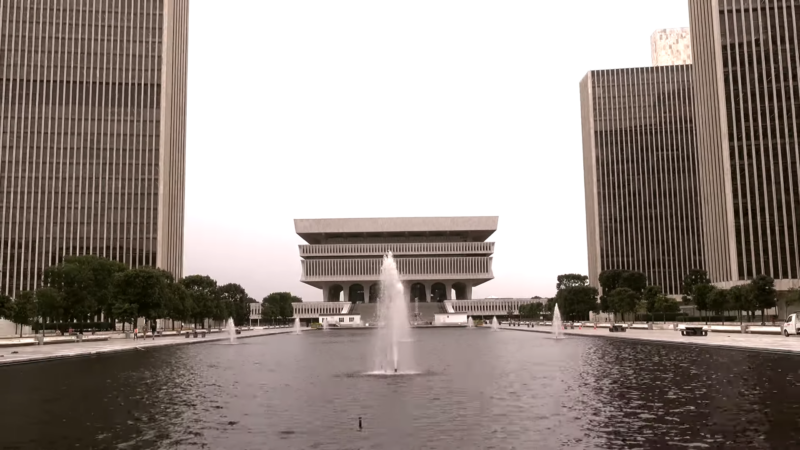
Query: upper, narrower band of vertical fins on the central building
<point x="429" y="248"/>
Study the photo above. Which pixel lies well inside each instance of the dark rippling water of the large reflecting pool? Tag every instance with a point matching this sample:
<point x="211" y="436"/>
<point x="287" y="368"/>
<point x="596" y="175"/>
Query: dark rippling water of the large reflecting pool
<point x="479" y="389"/>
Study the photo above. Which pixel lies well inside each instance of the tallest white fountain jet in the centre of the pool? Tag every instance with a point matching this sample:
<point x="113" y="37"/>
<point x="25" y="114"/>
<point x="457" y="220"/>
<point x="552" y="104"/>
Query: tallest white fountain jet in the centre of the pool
<point x="393" y="321"/>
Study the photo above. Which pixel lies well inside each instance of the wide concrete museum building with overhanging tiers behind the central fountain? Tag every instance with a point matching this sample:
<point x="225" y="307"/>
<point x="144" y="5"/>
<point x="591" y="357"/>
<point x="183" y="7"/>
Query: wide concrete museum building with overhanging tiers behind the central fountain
<point x="439" y="258"/>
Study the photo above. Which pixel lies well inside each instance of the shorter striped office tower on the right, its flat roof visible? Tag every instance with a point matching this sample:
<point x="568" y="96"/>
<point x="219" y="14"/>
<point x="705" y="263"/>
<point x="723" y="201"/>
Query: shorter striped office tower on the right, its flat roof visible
<point x="640" y="173"/>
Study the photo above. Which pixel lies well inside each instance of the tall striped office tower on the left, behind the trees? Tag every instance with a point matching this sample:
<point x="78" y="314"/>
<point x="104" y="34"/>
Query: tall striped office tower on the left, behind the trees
<point x="92" y="113"/>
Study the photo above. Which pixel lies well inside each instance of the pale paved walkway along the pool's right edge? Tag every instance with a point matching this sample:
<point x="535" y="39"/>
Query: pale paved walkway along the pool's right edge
<point x="722" y="339"/>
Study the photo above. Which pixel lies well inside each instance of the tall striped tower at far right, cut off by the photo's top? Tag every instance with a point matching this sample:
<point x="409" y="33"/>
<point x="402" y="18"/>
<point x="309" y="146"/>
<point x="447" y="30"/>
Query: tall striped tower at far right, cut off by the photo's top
<point x="747" y="60"/>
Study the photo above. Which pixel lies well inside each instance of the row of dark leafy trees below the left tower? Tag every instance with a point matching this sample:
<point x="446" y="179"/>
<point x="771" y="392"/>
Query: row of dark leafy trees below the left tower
<point x="82" y="289"/>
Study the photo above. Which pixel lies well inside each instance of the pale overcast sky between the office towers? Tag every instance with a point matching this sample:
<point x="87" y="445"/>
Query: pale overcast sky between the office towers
<point x="335" y="109"/>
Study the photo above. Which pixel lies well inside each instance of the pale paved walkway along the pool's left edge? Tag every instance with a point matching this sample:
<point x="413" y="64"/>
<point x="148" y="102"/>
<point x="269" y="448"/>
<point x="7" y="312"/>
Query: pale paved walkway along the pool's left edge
<point x="28" y="354"/>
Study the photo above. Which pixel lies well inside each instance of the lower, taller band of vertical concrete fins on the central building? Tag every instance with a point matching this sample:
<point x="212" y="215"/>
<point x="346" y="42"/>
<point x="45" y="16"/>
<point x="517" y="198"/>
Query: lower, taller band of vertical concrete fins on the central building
<point x="409" y="268"/>
